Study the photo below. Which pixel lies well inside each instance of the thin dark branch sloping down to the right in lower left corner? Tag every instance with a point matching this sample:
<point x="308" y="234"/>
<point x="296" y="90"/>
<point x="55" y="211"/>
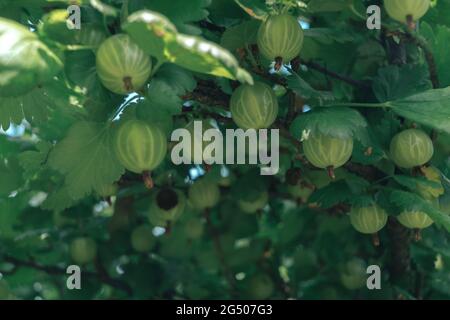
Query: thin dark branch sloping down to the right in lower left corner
<point x="54" y="270"/>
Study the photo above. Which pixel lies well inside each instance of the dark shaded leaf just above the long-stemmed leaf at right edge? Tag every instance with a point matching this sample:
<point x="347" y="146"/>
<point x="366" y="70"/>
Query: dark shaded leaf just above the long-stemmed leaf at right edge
<point x="396" y="82"/>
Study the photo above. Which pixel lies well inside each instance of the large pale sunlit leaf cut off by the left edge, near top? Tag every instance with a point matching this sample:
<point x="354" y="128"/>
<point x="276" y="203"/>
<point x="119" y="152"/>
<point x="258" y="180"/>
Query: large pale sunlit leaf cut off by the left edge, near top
<point x="25" y="62"/>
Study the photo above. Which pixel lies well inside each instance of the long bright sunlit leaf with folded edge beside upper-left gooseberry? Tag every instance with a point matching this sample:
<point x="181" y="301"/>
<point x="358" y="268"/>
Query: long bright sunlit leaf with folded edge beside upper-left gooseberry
<point x="155" y="35"/>
